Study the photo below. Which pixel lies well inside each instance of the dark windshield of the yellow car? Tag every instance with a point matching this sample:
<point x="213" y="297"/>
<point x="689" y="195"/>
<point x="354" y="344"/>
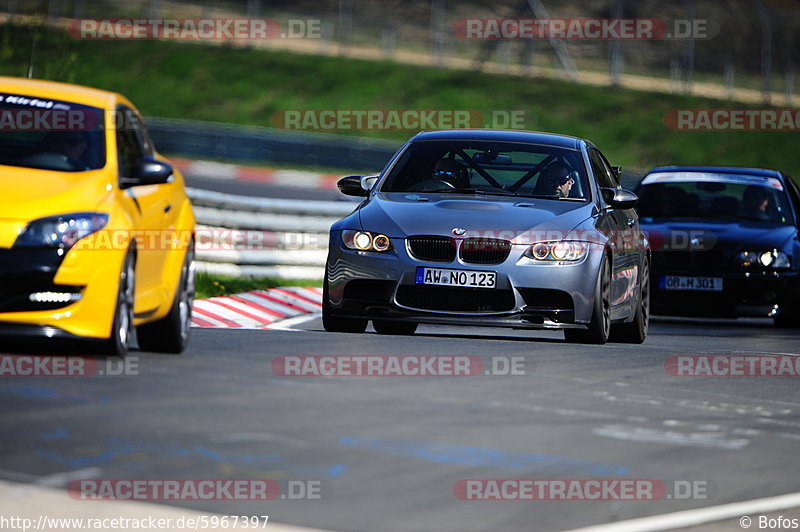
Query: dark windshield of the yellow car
<point x="50" y="134"/>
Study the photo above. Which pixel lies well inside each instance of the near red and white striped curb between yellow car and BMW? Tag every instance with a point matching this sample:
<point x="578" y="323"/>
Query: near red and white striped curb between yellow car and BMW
<point x="259" y="309"/>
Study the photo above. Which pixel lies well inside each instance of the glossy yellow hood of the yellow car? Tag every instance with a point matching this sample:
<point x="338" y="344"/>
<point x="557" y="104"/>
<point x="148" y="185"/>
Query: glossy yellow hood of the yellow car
<point x="27" y="194"/>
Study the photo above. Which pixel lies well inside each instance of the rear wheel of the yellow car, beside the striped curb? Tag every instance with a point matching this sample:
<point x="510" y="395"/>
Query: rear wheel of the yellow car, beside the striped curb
<point x="170" y="334"/>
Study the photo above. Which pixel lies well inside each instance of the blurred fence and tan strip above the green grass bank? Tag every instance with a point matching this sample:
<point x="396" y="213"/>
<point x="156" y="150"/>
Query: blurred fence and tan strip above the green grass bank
<point x="737" y="49"/>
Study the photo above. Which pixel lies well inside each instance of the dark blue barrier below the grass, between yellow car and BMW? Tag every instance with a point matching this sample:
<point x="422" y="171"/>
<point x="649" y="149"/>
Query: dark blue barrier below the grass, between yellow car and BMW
<point x="197" y="139"/>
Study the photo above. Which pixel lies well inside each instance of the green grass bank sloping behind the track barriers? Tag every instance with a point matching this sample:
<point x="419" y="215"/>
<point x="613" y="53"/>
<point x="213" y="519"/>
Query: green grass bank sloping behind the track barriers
<point x="247" y="86"/>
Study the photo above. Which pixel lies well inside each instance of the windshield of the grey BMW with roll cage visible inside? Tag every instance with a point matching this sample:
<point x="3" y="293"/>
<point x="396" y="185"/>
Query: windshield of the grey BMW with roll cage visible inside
<point x="489" y="168"/>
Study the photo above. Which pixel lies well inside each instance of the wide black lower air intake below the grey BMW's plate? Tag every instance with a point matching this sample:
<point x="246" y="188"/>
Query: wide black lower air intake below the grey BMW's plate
<point x="448" y="299"/>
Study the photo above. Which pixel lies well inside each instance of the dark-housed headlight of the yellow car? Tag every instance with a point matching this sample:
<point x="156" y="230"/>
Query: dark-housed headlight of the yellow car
<point x="62" y="231"/>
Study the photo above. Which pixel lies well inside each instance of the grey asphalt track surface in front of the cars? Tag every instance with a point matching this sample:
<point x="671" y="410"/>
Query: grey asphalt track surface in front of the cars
<point x="388" y="450"/>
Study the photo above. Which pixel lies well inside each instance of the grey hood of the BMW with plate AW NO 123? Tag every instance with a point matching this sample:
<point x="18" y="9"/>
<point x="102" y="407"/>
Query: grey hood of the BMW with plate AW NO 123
<point x="401" y="214"/>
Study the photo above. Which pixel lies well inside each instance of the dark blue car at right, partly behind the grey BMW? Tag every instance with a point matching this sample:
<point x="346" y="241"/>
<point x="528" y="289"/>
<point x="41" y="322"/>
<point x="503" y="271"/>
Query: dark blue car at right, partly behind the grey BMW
<point x="724" y="240"/>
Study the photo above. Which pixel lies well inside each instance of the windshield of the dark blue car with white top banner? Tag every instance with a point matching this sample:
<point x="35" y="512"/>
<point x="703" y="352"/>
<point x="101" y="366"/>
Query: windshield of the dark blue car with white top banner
<point x="713" y="196"/>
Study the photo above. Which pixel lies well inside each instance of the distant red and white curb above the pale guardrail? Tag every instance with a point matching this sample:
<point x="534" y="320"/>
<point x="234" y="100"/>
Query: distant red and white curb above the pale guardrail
<point x="233" y="172"/>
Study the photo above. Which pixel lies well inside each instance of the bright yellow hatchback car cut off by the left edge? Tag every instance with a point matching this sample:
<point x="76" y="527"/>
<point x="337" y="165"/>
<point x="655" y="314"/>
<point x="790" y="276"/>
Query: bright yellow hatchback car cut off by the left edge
<point x="96" y="230"/>
